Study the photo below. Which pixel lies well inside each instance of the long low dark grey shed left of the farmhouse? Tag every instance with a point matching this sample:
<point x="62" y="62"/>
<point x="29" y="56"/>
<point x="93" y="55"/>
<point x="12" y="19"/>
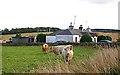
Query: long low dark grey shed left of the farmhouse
<point x="23" y="39"/>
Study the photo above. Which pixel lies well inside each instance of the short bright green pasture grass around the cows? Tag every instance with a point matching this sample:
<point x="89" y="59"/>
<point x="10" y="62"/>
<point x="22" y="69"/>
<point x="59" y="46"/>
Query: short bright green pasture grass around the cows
<point x="20" y="59"/>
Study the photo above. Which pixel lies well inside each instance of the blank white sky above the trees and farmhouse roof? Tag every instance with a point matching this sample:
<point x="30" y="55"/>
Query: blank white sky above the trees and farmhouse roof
<point x="59" y="13"/>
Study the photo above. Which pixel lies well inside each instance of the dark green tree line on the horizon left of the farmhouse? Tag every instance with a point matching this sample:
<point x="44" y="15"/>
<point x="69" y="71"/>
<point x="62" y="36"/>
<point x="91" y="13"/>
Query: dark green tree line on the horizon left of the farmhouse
<point x="29" y="30"/>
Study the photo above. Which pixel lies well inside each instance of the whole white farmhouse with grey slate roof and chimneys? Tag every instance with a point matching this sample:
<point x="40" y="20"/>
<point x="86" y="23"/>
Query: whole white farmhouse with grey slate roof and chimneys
<point x="70" y="35"/>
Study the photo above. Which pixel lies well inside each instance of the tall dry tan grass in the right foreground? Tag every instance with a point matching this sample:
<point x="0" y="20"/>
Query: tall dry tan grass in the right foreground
<point x="104" y="61"/>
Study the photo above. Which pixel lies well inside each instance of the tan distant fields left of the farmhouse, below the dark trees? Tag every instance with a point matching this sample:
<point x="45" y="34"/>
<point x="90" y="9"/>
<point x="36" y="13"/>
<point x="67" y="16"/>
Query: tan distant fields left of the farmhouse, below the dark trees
<point x="6" y="37"/>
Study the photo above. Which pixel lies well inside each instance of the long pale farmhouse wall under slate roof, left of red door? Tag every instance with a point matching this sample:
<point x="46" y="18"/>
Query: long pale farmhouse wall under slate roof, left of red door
<point x="67" y="38"/>
